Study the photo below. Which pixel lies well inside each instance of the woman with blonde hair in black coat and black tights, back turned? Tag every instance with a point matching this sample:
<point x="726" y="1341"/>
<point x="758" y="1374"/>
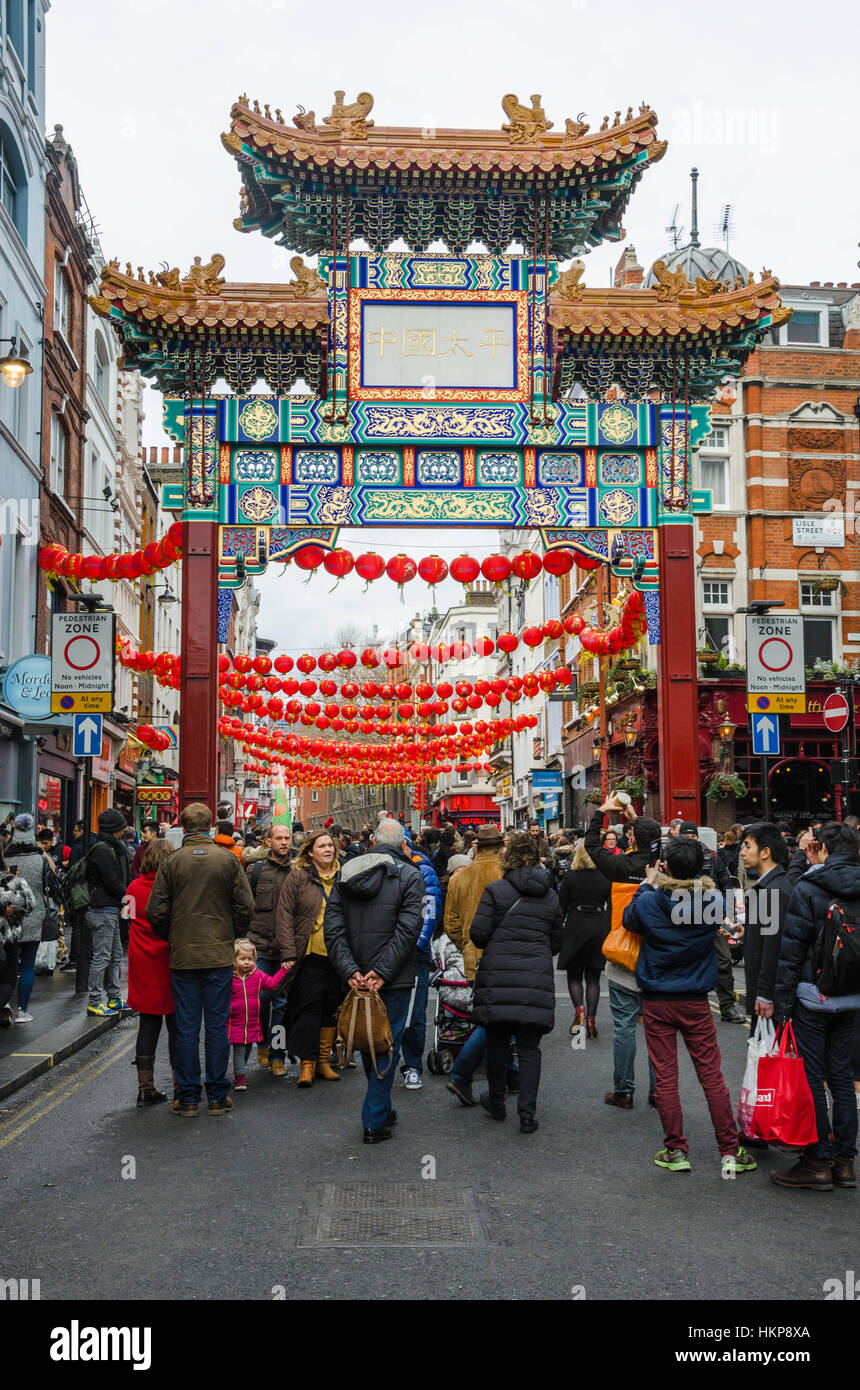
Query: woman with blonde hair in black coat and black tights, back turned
<point x="584" y="896"/>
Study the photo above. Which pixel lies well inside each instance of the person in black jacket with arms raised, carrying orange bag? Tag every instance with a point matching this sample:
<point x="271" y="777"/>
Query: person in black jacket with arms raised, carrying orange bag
<point x="625" y="993"/>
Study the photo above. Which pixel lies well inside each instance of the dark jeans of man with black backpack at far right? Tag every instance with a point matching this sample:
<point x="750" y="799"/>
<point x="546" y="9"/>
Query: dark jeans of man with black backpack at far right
<point x="825" y="1042"/>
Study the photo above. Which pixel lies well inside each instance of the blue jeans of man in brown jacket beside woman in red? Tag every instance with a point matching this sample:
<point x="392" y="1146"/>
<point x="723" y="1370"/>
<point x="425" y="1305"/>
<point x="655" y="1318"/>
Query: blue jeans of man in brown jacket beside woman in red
<point x="202" y="996"/>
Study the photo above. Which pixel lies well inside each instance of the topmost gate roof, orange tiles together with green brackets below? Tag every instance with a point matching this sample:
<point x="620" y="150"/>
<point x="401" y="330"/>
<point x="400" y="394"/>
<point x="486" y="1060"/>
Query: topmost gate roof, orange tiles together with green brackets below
<point x="423" y="186"/>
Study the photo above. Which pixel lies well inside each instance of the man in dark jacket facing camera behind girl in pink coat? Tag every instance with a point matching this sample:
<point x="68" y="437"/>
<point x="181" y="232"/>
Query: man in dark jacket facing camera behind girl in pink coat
<point x="267" y="878"/>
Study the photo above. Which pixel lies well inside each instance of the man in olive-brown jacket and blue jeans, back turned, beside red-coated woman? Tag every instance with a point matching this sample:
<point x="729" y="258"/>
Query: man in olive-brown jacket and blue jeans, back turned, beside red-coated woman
<point x="201" y="903"/>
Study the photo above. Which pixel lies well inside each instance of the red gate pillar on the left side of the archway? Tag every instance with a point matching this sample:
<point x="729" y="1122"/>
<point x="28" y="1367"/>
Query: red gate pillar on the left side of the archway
<point x="199" y="667"/>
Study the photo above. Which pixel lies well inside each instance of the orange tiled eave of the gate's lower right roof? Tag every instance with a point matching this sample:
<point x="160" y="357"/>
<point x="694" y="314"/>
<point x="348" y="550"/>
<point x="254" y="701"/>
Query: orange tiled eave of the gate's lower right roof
<point x="702" y="313"/>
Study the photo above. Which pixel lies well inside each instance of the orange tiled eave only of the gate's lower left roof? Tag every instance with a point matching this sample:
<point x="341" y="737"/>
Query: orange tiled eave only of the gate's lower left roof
<point x="212" y="304"/>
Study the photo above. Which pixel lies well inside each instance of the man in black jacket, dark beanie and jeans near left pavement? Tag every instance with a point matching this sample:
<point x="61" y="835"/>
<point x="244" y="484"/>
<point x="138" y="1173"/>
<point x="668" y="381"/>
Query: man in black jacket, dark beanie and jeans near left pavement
<point x="108" y="876"/>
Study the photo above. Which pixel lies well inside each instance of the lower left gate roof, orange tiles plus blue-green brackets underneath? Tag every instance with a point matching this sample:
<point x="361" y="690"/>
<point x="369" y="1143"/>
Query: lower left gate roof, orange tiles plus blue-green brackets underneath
<point x="248" y="332"/>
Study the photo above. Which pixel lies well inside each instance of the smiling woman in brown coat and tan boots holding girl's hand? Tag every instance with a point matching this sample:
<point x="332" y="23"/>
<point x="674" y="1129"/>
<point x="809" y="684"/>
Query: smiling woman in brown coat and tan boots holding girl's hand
<point x="315" y="988"/>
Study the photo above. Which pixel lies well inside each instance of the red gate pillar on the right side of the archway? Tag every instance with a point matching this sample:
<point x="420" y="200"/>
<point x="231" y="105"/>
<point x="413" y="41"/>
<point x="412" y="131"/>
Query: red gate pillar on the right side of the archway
<point x="679" y="685"/>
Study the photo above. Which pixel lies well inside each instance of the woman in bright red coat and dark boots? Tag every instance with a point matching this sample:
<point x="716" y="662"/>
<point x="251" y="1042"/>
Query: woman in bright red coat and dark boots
<point x="149" y="979"/>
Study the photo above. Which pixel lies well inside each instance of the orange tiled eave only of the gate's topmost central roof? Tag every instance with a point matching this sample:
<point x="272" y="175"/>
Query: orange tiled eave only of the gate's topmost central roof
<point x="411" y="148"/>
